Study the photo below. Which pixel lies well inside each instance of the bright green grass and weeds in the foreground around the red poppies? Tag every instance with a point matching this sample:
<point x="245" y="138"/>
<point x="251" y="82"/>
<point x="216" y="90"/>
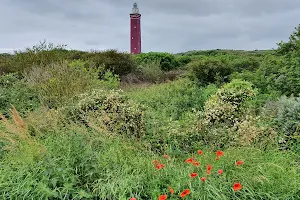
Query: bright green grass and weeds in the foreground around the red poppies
<point x="79" y="165"/>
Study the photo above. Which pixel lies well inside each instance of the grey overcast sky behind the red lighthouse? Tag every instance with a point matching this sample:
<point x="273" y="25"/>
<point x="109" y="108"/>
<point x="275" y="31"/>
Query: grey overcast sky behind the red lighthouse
<point x="167" y="25"/>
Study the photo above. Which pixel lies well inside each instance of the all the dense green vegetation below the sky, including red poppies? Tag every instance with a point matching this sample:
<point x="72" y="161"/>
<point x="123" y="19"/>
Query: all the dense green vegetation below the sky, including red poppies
<point x="217" y="124"/>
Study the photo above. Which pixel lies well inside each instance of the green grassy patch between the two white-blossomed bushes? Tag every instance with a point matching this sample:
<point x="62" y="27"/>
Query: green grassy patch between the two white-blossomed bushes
<point x="170" y="112"/>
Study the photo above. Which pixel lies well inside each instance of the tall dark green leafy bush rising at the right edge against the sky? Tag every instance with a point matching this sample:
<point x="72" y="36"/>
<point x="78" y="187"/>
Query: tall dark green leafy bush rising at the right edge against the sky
<point x="281" y="72"/>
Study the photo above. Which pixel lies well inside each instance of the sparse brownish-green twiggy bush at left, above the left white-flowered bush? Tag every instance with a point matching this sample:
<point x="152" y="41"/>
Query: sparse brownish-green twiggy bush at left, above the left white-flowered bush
<point x="58" y="83"/>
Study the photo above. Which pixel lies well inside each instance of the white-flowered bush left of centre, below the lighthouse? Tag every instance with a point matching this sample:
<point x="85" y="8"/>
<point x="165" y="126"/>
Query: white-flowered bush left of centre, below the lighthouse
<point x="109" y="111"/>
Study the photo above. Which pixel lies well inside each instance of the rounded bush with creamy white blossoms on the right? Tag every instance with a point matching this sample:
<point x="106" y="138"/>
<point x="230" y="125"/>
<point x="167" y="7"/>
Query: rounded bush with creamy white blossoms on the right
<point x="225" y="106"/>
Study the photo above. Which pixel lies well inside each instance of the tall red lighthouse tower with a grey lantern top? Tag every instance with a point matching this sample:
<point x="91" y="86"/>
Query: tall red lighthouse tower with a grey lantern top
<point x="135" y="30"/>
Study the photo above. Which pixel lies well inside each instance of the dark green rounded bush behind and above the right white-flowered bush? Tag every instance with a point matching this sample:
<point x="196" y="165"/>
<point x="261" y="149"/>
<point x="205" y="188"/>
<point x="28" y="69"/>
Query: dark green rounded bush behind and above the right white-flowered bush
<point x="210" y="70"/>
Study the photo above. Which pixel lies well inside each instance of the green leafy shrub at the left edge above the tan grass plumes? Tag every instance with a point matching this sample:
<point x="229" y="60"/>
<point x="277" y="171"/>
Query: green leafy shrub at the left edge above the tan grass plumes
<point x="14" y="91"/>
